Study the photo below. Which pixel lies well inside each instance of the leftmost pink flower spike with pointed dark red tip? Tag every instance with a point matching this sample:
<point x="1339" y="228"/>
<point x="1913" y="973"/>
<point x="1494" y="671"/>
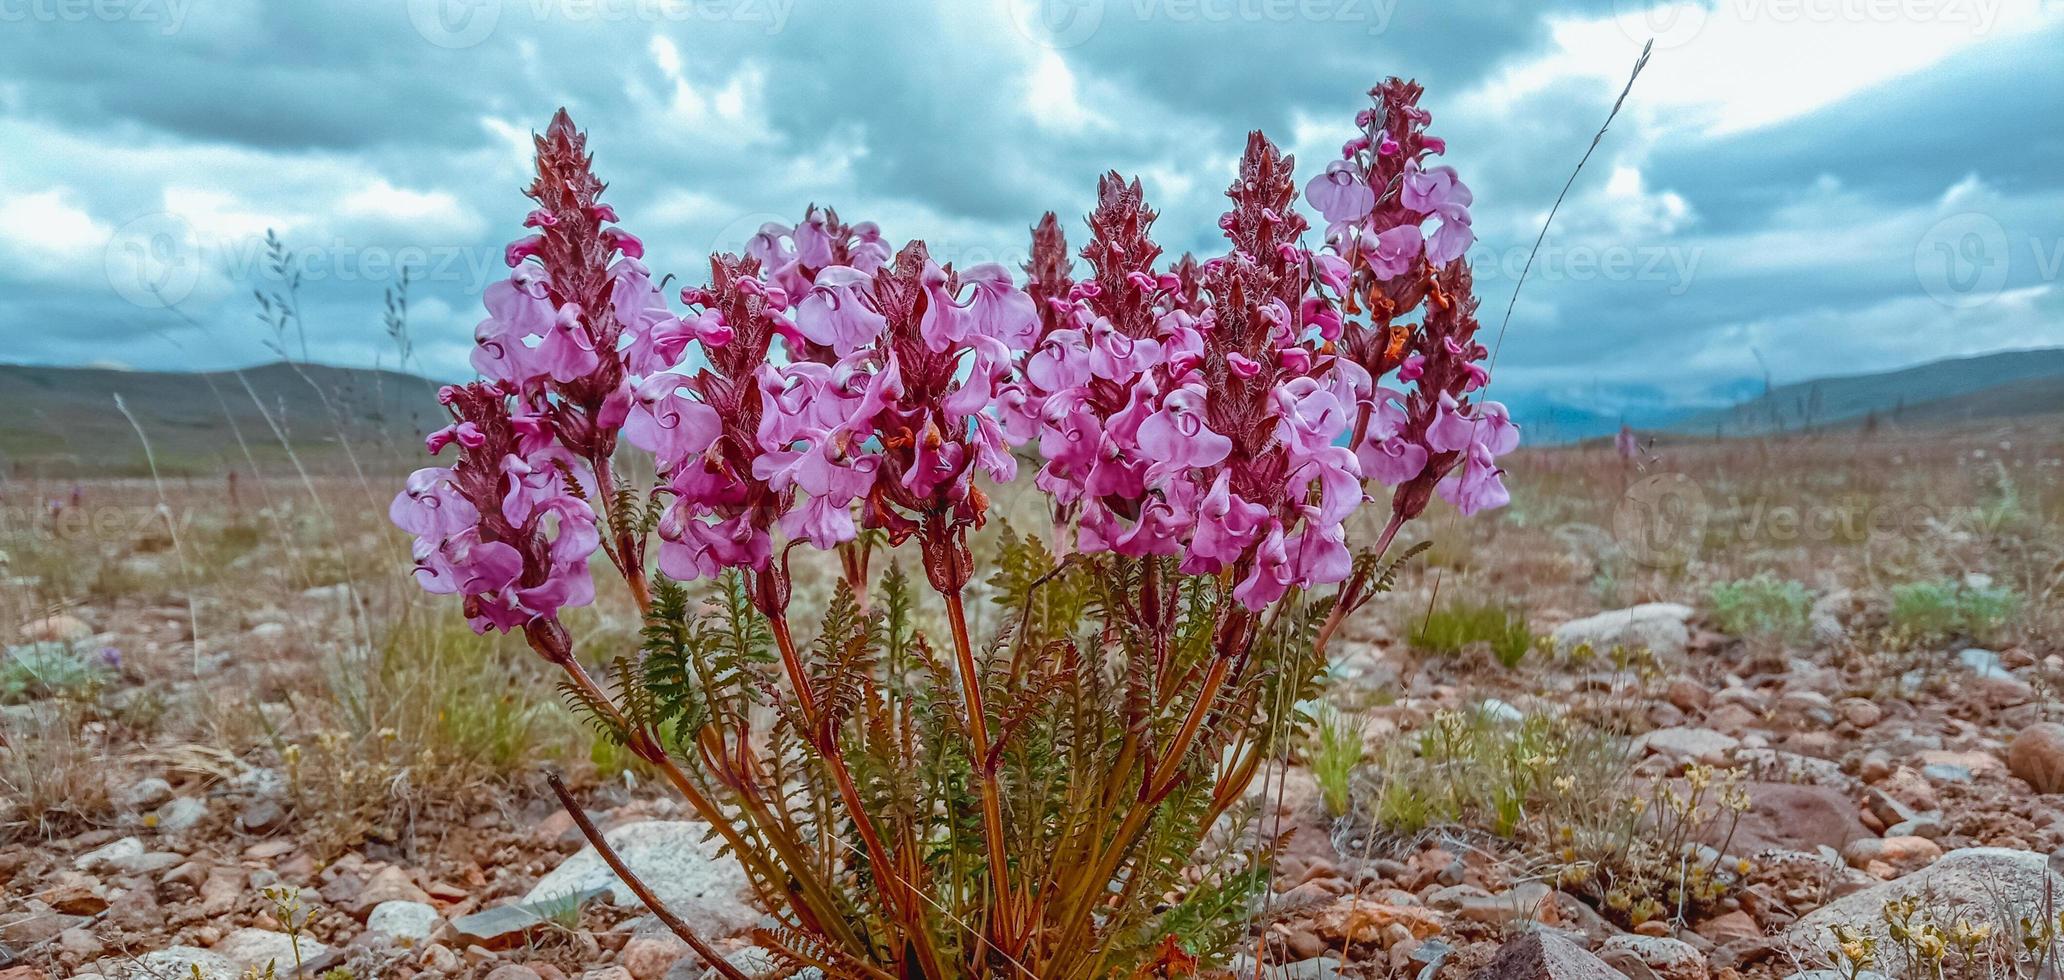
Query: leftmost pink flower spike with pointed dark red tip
<point x="513" y="523"/>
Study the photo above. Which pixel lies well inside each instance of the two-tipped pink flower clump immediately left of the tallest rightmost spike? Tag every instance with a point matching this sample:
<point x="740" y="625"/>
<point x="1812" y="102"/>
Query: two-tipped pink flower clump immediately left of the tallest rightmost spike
<point x="1196" y="410"/>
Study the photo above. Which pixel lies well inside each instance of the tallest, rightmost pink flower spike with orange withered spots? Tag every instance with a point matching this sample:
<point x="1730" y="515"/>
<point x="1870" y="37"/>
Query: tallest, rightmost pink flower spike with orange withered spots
<point x="1378" y="201"/>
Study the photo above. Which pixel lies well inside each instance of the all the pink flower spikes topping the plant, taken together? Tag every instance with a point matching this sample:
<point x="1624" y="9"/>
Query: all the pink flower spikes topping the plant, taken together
<point x="1223" y="412"/>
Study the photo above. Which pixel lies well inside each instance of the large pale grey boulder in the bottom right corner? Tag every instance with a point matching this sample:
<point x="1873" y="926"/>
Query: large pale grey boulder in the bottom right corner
<point x="1978" y="884"/>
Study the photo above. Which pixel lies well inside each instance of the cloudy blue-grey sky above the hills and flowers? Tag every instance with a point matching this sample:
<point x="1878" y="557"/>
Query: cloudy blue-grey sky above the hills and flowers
<point x="1797" y="187"/>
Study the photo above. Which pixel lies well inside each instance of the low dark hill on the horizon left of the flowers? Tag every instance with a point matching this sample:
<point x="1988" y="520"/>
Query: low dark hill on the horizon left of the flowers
<point x="65" y="422"/>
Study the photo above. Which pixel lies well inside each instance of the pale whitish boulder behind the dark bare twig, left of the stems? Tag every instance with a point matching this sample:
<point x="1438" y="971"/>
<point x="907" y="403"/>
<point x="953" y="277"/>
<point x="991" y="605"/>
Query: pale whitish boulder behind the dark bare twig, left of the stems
<point x="676" y="861"/>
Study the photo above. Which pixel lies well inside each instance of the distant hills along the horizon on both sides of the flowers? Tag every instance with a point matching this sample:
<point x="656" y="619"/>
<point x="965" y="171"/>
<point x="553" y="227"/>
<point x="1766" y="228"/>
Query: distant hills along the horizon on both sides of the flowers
<point x="65" y="422"/>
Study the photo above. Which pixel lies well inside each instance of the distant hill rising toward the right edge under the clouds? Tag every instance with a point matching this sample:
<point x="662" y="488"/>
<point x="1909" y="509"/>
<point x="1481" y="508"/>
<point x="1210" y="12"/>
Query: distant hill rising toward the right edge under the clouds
<point x="1964" y="389"/>
